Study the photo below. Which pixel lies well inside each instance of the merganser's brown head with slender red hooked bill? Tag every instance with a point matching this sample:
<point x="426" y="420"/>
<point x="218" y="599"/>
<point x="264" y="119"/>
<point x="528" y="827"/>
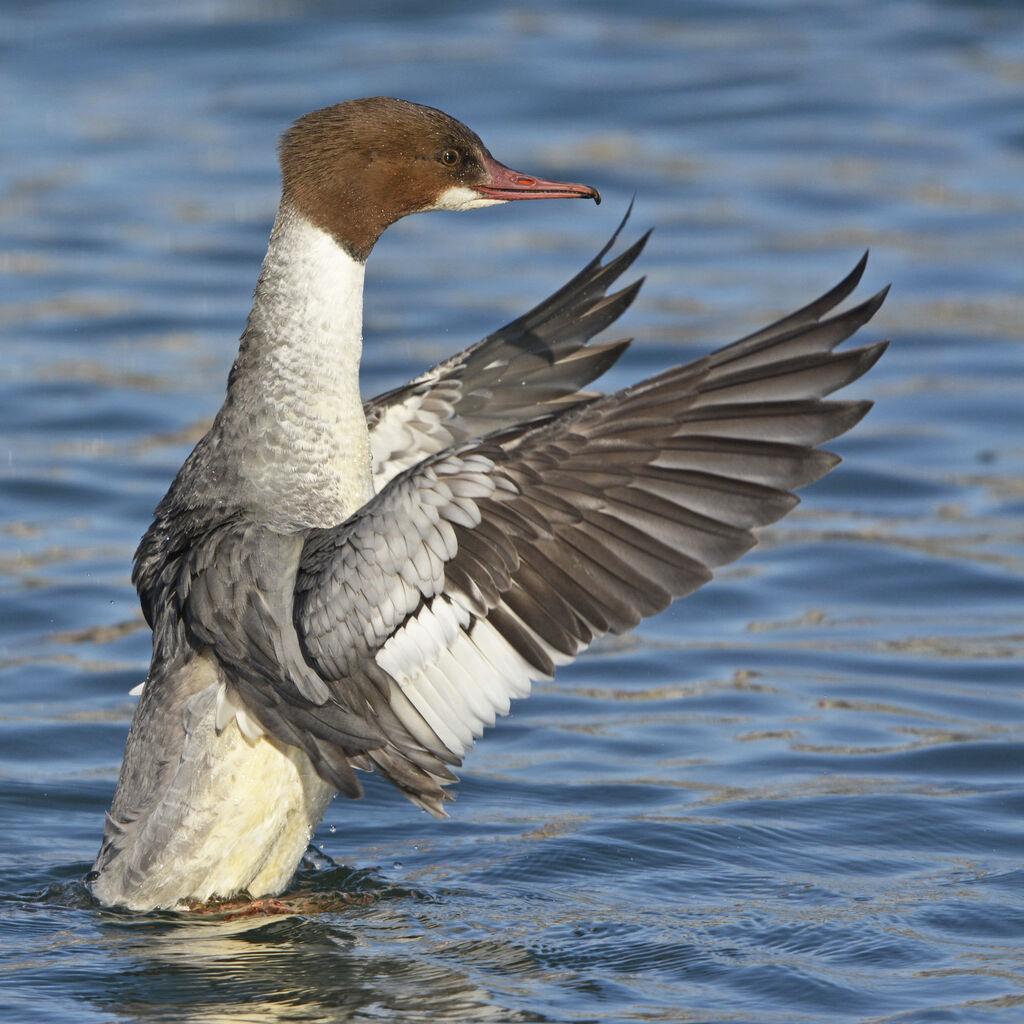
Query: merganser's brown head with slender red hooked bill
<point x="355" y="168"/>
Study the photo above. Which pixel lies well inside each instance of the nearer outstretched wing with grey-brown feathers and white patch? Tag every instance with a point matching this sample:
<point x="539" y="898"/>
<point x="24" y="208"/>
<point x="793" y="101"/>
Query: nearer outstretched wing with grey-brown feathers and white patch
<point x="493" y="562"/>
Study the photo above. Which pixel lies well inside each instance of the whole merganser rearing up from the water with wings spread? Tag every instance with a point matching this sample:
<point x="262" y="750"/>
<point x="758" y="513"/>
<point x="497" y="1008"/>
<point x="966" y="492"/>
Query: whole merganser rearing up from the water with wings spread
<point x="335" y="585"/>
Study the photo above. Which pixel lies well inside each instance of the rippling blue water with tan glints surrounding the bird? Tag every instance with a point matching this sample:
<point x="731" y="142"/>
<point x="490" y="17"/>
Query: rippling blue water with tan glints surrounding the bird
<point x="795" y="796"/>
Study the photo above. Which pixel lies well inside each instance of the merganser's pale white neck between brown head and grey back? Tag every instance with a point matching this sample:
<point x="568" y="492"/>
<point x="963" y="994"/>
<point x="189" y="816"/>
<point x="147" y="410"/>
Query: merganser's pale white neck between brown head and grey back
<point x="293" y="414"/>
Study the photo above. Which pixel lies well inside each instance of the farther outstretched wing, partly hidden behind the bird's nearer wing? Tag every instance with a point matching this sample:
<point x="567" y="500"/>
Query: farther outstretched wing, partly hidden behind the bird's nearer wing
<point x="538" y="364"/>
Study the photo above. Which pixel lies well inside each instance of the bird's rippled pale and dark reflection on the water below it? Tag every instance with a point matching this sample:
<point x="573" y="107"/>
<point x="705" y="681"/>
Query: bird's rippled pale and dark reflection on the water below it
<point x="334" y="966"/>
